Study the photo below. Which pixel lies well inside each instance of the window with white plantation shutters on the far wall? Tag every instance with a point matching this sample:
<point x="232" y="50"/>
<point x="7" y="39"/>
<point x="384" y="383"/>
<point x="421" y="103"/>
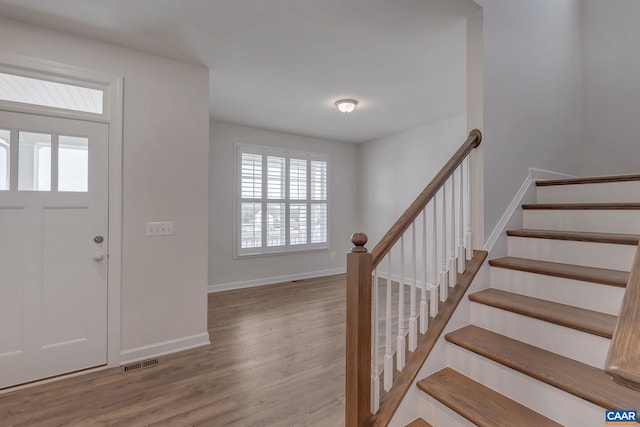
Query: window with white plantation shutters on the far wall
<point x="282" y="201"/>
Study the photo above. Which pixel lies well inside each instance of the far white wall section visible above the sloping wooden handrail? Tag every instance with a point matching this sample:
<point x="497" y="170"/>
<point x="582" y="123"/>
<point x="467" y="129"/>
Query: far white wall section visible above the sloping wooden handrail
<point x="395" y="169"/>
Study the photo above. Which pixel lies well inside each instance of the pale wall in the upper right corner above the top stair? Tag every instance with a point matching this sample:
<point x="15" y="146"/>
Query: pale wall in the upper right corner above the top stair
<point x="611" y="38"/>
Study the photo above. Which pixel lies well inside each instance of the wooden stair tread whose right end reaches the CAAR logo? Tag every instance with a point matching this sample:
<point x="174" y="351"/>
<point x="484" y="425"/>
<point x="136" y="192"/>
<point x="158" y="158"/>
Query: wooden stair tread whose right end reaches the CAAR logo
<point x="581" y="380"/>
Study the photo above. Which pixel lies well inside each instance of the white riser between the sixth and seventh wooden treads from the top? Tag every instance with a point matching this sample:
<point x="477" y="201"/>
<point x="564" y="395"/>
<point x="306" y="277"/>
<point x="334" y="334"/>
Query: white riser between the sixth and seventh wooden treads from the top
<point x="543" y="398"/>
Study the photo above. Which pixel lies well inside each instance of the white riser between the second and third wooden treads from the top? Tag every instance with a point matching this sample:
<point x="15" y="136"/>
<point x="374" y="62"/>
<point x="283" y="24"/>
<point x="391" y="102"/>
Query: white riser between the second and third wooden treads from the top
<point x="605" y="221"/>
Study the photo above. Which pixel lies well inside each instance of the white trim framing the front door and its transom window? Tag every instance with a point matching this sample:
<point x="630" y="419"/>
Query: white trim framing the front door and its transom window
<point x="113" y="115"/>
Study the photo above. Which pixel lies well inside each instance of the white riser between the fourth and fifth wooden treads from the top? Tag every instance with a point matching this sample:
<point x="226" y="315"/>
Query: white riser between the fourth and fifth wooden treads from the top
<point x="592" y="296"/>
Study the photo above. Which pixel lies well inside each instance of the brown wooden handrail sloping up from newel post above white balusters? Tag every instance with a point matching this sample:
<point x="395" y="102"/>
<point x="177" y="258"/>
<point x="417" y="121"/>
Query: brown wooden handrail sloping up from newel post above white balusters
<point x="412" y="212"/>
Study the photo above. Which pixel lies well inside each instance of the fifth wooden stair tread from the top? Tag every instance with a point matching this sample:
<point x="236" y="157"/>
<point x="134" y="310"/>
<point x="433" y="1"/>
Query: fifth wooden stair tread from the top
<point x="581" y="319"/>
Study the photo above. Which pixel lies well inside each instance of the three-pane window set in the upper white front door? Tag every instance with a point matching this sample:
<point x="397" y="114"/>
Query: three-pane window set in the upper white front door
<point x="43" y="161"/>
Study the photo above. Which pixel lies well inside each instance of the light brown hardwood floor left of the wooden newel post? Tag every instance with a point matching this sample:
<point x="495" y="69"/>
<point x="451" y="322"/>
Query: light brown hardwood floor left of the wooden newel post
<point x="276" y="359"/>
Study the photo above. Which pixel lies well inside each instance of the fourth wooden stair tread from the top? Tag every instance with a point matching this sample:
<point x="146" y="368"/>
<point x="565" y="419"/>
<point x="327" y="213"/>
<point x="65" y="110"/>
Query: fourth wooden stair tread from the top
<point x="568" y="271"/>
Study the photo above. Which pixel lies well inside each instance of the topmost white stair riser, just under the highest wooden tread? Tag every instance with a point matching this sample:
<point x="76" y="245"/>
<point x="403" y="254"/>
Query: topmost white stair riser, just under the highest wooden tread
<point x="611" y="192"/>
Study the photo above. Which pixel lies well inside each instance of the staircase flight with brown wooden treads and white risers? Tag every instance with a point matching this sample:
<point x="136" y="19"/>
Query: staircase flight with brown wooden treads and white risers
<point x="539" y="336"/>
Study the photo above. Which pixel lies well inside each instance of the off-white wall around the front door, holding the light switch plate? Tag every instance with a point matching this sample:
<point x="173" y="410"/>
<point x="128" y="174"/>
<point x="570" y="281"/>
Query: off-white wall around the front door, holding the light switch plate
<point x="165" y="167"/>
